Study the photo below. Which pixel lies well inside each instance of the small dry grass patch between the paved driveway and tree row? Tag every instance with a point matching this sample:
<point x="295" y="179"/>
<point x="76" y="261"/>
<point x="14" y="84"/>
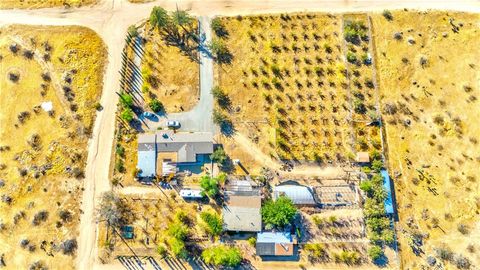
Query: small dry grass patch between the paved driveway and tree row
<point x="170" y="74"/>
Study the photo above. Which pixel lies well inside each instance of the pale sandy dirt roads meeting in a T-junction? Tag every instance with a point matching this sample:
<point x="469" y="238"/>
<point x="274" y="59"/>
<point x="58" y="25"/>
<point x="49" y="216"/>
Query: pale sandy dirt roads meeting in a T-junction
<point x="110" y="20"/>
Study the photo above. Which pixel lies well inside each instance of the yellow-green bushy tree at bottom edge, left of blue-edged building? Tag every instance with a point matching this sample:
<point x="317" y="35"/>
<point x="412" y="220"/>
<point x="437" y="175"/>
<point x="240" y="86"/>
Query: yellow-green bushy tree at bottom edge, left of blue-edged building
<point x="222" y="255"/>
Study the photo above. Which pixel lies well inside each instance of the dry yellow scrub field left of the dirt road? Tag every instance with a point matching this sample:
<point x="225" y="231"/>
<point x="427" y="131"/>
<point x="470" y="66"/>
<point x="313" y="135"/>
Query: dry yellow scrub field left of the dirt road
<point x="43" y="153"/>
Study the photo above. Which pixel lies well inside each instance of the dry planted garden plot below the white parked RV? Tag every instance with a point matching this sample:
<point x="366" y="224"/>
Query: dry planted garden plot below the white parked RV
<point x="151" y="219"/>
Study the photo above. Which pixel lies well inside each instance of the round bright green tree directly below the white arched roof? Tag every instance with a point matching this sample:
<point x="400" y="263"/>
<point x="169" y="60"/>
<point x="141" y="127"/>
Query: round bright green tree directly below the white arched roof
<point x="278" y="213"/>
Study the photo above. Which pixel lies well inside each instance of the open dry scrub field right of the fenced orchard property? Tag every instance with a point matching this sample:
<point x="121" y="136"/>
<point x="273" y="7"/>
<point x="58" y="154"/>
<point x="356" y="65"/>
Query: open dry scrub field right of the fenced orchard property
<point x="429" y="77"/>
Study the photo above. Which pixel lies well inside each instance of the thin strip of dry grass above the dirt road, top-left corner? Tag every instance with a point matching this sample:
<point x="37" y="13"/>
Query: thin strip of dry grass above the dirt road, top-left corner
<point x="32" y="4"/>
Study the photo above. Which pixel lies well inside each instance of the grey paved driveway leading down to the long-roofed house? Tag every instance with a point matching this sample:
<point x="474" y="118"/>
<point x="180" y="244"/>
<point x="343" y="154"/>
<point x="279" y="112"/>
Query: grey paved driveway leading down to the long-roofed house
<point x="200" y="117"/>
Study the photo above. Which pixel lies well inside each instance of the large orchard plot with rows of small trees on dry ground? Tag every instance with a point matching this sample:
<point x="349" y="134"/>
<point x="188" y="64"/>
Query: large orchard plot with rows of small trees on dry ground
<point x="287" y="86"/>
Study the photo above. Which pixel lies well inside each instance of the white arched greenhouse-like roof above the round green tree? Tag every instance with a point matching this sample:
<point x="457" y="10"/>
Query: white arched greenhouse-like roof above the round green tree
<point x="299" y="194"/>
